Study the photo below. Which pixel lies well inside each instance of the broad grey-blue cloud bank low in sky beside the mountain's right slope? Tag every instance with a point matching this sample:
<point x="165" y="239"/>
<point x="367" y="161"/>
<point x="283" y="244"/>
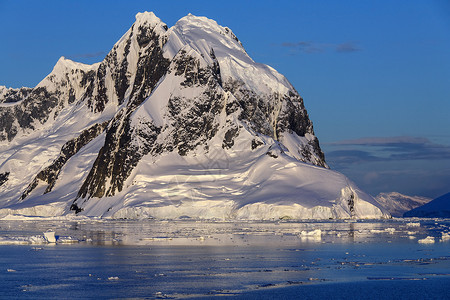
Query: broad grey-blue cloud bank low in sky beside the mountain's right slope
<point x="406" y="164"/>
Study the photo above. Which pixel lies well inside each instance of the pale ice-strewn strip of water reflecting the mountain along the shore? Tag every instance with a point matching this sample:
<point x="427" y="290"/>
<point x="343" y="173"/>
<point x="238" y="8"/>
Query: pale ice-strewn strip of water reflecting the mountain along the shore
<point x="151" y="232"/>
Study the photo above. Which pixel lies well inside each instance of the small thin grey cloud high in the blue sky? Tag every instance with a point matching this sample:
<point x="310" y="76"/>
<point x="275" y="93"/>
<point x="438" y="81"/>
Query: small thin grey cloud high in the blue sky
<point x="316" y="47"/>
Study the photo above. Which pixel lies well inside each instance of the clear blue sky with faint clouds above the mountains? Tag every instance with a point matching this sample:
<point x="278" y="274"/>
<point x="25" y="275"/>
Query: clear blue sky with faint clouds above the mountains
<point x="374" y="75"/>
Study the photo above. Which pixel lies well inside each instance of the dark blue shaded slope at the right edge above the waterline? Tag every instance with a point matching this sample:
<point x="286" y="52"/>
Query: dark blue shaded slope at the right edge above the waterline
<point x="437" y="208"/>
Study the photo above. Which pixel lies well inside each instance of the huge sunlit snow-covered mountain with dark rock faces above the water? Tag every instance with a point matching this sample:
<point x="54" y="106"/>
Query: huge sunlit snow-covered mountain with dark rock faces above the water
<point x="174" y="122"/>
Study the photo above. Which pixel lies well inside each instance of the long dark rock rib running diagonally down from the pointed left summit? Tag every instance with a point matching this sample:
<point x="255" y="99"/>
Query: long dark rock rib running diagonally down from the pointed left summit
<point x="119" y="155"/>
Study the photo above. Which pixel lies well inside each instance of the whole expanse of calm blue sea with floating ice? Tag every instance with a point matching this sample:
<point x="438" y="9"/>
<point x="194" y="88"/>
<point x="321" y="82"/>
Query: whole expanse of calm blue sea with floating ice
<point x="262" y="260"/>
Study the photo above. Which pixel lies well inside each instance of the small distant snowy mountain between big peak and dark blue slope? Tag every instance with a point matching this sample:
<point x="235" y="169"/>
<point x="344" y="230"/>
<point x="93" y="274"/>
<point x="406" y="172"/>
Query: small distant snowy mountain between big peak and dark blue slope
<point x="397" y="204"/>
